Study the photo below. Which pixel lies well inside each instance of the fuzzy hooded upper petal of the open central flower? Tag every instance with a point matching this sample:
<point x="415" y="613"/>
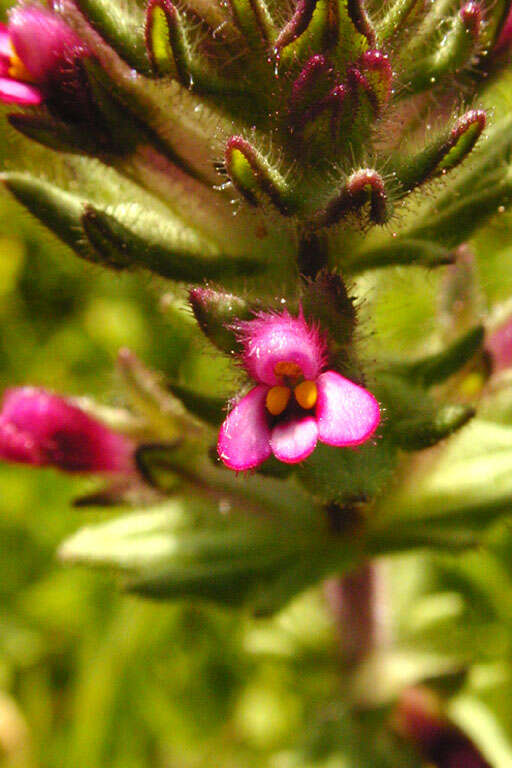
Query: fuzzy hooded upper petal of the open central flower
<point x="273" y="338"/>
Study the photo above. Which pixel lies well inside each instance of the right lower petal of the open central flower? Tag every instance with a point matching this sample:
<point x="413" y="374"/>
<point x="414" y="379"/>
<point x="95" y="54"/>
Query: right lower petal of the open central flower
<point x="347" y="414"/>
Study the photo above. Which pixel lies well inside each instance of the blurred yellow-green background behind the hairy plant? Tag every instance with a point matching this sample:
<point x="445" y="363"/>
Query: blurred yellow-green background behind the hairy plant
<point x="90" y="678"/>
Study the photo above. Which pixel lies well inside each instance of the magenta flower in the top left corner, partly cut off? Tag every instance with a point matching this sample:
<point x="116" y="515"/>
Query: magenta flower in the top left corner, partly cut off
<point x="38" y="57"/>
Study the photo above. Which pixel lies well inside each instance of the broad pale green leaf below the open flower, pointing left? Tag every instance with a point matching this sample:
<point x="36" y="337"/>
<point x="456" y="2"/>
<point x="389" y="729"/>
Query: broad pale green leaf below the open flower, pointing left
<point x="188" y="548"/>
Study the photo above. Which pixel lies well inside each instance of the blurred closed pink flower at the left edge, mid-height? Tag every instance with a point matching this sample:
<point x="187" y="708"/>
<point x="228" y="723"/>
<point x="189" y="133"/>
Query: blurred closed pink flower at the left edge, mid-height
<point x="43" y="429"/>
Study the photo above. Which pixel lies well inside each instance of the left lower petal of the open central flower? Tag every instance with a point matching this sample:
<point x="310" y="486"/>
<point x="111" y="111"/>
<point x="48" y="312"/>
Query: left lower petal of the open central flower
<point x="245" y="434"/>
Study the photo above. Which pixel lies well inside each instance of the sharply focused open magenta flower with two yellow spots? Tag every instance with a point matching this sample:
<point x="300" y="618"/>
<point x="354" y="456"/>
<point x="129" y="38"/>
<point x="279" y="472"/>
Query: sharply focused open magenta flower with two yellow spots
<point x="296" y="402"/>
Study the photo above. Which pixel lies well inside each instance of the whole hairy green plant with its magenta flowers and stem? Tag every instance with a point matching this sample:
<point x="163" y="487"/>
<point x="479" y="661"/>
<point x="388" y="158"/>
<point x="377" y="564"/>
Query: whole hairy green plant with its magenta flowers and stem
<point x="281" y="167"/>
